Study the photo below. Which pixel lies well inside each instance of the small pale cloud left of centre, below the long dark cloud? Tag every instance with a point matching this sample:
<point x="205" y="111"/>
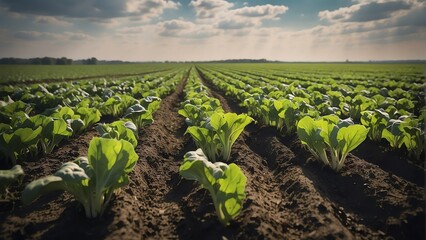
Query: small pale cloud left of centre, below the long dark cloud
<point x="186" y="29"/>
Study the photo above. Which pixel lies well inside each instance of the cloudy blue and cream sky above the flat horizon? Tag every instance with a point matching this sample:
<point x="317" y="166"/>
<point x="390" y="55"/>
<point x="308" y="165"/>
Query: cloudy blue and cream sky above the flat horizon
<point x="198" y="30"/>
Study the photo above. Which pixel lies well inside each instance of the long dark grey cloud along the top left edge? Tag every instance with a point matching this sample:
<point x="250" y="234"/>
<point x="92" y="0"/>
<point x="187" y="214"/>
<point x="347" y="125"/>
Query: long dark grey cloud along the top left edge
<point x="91" y="8"/>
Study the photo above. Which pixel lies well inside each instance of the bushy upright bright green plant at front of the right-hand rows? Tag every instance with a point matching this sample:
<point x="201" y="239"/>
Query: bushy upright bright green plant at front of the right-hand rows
<point x="338" y="136"/>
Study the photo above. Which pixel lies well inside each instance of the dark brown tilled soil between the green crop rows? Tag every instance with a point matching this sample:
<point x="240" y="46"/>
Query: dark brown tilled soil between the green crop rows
<point x="289" y="194"/>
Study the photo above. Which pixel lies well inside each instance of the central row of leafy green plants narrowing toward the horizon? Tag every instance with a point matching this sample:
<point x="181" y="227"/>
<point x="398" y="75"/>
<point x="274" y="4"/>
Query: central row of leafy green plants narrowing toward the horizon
<point x="214" y="132"/>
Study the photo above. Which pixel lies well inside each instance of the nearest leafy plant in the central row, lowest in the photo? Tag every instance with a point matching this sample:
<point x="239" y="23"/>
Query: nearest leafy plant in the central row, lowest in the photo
<point x="225" y="183"/>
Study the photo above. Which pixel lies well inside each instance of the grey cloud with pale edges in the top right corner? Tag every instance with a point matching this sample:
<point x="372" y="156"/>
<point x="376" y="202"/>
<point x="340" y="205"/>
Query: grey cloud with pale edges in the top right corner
<point x="365" y="11"/>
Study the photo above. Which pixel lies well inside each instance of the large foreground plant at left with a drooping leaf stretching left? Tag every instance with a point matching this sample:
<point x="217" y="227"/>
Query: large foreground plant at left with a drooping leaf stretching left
<point x="93" y="180"/>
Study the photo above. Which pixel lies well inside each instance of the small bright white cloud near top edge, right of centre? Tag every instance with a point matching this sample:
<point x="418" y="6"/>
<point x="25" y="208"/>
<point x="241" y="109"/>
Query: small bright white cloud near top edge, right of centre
<point x="262" y="11"/>
